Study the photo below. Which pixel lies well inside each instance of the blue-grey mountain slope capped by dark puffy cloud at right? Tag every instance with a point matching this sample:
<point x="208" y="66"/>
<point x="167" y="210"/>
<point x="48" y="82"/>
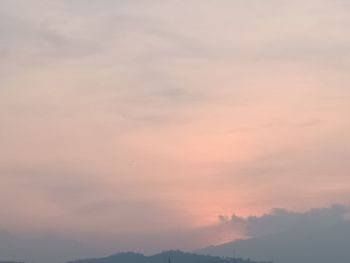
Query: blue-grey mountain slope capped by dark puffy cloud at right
<point x="317" y="235"/>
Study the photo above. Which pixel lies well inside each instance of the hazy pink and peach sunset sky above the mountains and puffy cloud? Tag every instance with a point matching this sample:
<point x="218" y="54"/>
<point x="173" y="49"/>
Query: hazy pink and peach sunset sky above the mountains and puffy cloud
<point x="141" y="125"/>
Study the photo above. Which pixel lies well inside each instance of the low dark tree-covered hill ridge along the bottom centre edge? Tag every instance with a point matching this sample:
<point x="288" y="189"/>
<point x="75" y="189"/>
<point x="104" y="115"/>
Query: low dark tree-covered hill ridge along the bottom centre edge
<point x="164" y="257"/>
